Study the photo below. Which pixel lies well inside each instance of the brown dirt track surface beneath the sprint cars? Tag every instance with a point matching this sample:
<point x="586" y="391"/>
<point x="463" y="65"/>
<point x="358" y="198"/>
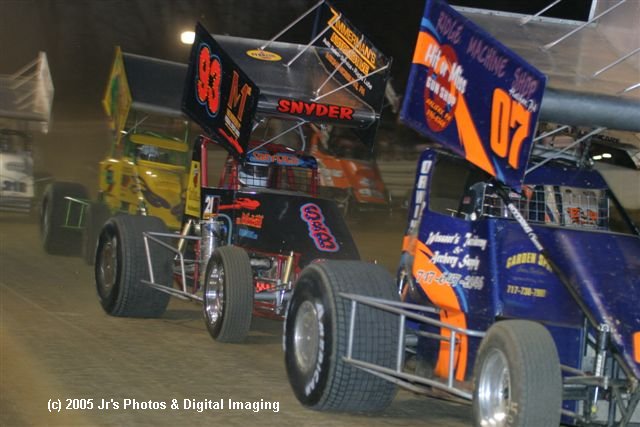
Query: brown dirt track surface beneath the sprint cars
<point x="56" y="343"/>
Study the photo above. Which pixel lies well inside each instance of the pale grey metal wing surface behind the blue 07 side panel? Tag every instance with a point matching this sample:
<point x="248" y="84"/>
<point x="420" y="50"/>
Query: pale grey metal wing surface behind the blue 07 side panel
<point x="601" y="56"/>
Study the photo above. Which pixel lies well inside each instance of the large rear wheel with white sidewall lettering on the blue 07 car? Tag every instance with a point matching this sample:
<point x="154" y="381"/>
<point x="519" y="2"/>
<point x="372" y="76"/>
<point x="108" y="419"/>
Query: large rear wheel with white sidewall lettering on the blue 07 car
<point x="316" y="337"/>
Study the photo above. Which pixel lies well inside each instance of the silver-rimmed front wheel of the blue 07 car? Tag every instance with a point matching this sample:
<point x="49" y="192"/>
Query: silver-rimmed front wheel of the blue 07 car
<point x="517" y="377"/>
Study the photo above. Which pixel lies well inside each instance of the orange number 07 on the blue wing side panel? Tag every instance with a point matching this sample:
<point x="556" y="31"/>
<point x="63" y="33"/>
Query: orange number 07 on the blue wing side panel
<point x="509" y="126"/>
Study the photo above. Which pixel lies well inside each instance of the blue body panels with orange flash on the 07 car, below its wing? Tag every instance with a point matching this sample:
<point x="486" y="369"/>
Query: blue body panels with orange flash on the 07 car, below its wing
<point x="481" y="270"/>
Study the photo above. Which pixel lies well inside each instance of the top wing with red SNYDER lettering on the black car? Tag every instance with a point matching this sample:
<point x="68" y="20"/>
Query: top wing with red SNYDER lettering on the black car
<point x="338" y="78"/>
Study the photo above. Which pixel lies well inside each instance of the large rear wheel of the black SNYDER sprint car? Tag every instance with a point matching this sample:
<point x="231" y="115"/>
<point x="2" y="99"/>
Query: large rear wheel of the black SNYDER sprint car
<point x="121" y="264"/>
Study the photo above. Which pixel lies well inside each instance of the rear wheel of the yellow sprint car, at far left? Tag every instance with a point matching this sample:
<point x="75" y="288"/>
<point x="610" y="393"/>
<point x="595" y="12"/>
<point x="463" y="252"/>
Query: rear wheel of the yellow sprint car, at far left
<point x="58" y="216"/>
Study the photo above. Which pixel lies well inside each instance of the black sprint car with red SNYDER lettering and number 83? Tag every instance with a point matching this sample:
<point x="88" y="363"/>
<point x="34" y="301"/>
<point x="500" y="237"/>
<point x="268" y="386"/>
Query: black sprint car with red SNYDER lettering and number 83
<point x="252" y="221"/>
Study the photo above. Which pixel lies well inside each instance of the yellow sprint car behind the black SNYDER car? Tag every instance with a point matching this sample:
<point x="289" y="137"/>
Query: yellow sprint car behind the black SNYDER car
<point x="145" y="171"/>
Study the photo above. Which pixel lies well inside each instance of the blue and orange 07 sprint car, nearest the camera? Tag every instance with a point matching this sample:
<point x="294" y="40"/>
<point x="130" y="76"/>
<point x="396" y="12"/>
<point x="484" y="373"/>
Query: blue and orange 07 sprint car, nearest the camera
<point x="518" y="292"/>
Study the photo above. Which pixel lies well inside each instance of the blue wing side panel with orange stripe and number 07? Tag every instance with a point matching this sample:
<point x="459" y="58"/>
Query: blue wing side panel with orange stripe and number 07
<point x="472" y="94"/>
